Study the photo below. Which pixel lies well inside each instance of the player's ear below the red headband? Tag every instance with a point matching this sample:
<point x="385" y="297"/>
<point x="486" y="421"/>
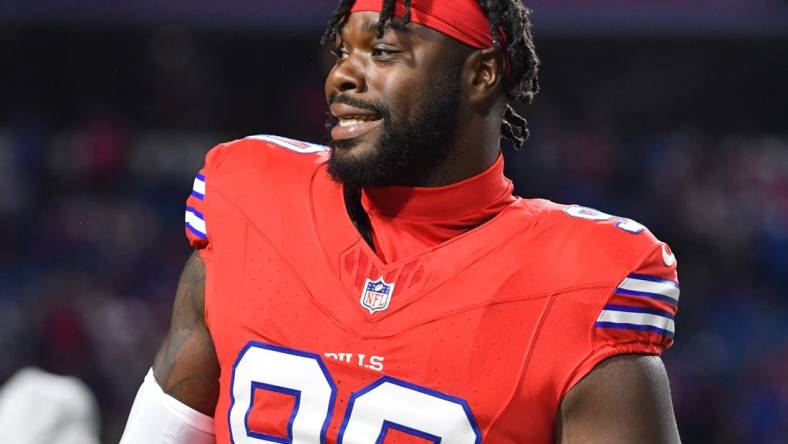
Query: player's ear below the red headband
<point x="484" y="75"/>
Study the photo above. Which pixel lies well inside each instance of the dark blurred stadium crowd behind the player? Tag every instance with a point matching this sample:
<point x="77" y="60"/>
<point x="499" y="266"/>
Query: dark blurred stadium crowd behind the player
<point x="102" y="129"/>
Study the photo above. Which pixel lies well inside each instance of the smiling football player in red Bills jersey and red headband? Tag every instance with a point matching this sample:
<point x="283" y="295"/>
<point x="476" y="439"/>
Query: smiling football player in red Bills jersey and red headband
<point x="390" y="288"/>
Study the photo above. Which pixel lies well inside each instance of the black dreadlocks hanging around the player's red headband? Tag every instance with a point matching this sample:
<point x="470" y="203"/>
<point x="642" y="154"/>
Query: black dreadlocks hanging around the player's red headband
<point x="509" y="16"/>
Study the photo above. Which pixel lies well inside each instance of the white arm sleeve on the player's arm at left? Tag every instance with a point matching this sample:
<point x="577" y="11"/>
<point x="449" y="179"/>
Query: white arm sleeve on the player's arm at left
<point x="158" y="418"/>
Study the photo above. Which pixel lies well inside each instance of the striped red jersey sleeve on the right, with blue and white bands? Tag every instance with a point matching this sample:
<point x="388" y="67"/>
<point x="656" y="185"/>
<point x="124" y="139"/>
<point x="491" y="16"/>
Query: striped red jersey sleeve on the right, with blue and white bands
<point x="638" y="316"/>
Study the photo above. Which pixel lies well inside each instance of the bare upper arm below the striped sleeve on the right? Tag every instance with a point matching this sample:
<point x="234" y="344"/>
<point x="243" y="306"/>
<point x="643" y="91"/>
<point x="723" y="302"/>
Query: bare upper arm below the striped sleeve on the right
<point x="625" y="399"/>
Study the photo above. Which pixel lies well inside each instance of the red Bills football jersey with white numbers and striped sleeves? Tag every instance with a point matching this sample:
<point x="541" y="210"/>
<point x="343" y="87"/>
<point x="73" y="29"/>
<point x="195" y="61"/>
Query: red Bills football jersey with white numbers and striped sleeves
<point x="476" y="339"/>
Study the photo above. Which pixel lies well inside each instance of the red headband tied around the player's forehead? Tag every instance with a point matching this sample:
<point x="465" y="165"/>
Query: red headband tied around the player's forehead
<point x="463" y="20"/>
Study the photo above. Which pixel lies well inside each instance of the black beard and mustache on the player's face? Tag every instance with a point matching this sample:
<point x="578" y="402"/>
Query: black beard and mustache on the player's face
<point x="407" y="152"/>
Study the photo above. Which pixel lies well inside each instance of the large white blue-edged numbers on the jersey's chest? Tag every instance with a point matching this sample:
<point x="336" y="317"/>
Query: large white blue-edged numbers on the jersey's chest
<point x="372" y="412"/>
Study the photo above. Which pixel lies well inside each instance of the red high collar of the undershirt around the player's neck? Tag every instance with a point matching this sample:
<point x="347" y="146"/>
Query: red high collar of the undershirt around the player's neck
<point x="406" y="220"/>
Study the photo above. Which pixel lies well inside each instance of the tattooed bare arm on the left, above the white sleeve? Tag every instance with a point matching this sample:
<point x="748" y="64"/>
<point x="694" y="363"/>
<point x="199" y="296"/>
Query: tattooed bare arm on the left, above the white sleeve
<point x="186" y="366"/>
